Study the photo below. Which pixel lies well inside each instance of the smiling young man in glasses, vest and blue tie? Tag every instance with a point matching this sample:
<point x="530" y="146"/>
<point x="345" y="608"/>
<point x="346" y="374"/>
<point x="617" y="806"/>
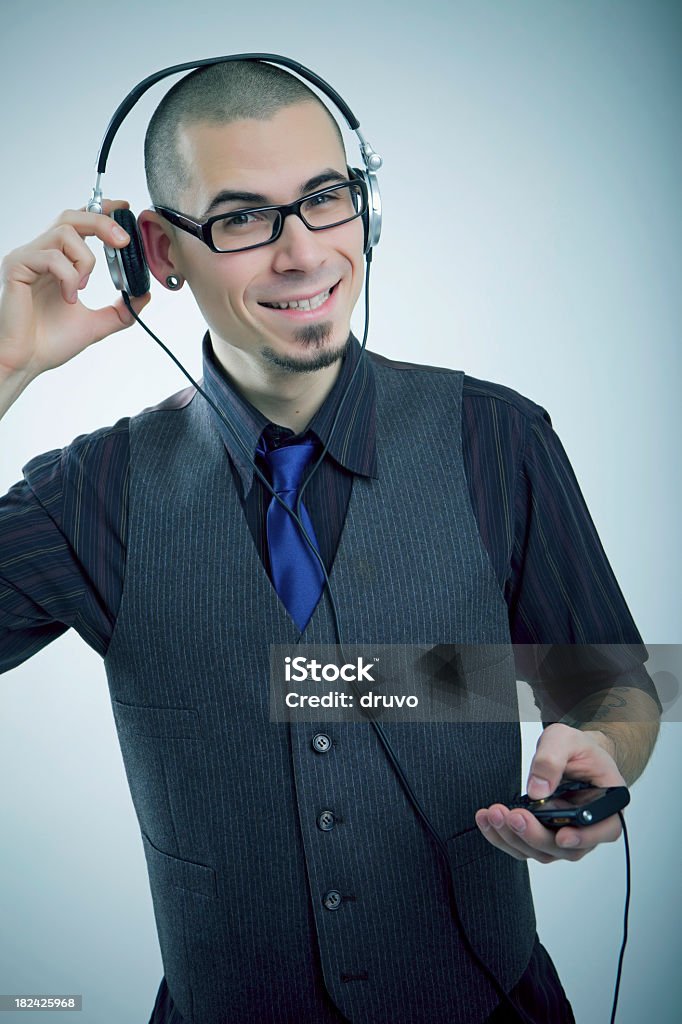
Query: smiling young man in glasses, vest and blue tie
<point x="290" y="875"/>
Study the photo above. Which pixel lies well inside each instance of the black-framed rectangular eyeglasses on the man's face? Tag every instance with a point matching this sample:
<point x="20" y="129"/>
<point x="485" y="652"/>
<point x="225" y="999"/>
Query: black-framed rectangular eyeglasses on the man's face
<point x="240" y="230"/>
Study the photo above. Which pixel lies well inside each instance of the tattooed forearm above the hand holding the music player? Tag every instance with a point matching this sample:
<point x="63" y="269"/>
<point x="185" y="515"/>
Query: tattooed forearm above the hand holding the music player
<point x="628" y="720"/>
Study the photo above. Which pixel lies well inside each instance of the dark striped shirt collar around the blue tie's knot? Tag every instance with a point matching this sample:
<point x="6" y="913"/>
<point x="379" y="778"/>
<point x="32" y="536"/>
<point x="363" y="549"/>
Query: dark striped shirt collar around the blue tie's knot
<point x="354" y="441"/>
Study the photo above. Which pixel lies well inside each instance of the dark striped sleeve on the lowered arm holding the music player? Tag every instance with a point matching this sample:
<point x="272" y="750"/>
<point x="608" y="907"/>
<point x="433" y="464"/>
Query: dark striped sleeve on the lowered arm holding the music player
<point x="568" y="614"/>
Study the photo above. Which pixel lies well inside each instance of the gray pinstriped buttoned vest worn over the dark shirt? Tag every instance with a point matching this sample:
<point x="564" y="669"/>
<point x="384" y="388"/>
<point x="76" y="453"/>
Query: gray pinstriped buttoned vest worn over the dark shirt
<point x="228" y="802"/>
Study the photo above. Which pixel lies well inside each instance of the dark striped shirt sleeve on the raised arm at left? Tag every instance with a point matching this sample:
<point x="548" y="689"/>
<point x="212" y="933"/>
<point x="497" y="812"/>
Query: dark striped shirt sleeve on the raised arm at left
<point x="63" y="546"/>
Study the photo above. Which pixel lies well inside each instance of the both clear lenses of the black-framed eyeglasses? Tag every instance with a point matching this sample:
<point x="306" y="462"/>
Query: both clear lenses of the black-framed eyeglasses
<point x="326" y="209"/>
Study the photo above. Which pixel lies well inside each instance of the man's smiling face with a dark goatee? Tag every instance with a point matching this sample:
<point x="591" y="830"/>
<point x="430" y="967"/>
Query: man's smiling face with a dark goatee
<point x="291" y="155"/>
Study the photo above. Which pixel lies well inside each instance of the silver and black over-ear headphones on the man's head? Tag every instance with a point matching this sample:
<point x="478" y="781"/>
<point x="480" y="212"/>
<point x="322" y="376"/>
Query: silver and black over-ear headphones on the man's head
<point x="129" y="266"/>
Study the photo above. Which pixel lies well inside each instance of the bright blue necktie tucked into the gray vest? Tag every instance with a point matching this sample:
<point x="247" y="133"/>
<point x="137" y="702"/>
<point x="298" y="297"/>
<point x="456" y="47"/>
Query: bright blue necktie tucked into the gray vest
<point x="295" y="571"/>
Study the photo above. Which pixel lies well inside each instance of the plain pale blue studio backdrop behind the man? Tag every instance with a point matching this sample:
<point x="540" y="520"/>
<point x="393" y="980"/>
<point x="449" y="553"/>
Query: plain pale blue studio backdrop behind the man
<point x="533" y="162"/>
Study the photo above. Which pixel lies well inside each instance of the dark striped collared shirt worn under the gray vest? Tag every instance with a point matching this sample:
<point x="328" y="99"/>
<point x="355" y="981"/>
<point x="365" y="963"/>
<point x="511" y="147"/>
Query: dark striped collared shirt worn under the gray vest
<point x="63" y="538"/>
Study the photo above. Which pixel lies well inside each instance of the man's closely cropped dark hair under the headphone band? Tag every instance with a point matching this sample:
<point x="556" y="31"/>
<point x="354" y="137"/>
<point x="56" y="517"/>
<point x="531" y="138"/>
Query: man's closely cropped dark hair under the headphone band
<point x="220" y="94"/>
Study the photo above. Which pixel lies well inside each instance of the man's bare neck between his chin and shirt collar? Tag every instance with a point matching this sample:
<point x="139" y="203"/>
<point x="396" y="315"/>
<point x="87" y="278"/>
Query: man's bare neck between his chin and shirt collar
<point x="287" y="398"/>
